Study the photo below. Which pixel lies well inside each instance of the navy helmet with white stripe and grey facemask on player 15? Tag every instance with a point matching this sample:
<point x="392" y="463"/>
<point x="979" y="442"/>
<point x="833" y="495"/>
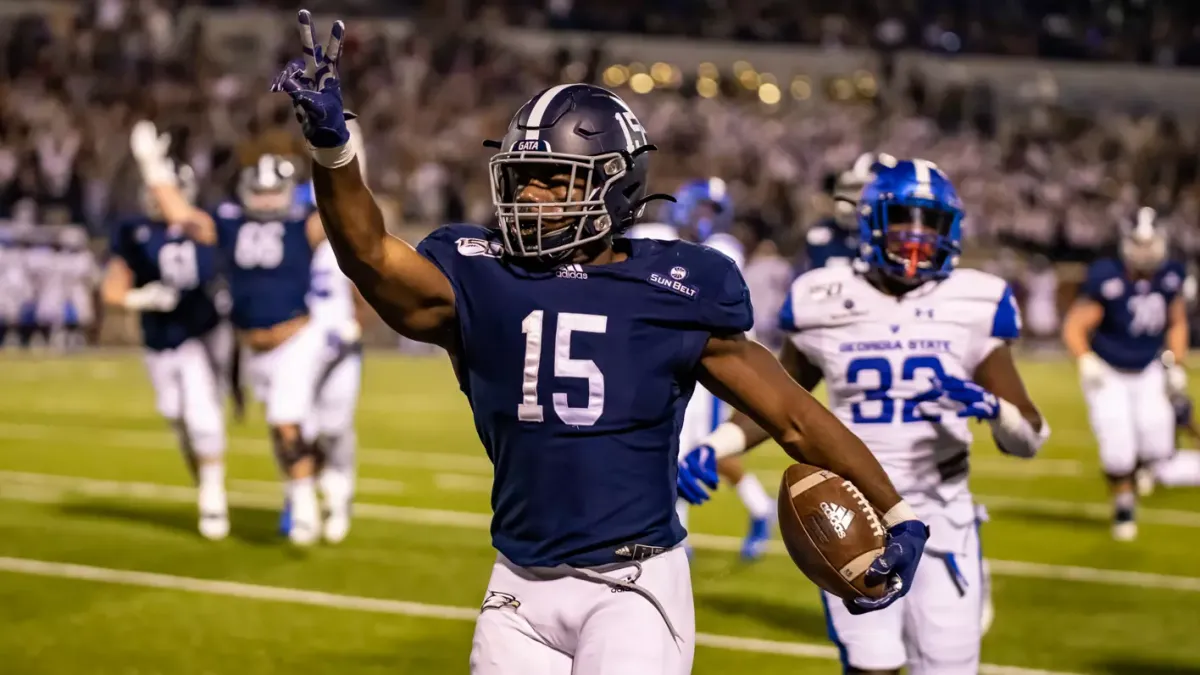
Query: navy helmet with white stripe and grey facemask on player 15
<point x="572" y="170"/>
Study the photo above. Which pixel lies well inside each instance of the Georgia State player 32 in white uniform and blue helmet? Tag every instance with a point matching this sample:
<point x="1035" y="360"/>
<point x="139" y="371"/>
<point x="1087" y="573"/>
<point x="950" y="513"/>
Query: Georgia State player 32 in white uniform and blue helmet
<point x="911" y="350"/>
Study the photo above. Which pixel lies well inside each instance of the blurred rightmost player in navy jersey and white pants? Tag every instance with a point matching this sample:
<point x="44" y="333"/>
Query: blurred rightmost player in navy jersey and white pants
<point x="1131" y="309"/>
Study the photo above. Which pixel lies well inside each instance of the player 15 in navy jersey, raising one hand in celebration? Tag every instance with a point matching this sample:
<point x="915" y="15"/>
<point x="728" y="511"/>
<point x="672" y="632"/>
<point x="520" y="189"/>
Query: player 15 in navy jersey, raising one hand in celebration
<point x="578" y="354"/>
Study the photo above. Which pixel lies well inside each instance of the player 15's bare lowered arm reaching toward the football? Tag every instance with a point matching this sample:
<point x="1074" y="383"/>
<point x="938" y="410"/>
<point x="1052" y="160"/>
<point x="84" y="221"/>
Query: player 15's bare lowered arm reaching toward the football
<point x="749" y="378"/>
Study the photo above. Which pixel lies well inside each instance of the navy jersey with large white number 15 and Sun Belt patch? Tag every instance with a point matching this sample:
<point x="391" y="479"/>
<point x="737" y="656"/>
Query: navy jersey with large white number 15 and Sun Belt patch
<point x="578" y="379"/>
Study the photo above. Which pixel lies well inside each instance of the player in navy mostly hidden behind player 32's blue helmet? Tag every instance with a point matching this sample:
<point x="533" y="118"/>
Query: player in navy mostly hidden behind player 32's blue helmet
<point x="835" y="241"/>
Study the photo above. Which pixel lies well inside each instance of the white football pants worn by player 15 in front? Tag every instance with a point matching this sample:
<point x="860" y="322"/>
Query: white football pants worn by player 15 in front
<point x="551" y="622"/>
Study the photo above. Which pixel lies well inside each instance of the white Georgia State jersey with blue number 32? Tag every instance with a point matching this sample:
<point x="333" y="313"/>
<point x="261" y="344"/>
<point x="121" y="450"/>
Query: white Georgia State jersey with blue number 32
<point x="879" y="353"/>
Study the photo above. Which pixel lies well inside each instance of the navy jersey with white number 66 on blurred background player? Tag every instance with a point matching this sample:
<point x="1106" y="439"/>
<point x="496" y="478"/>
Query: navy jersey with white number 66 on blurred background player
<point x="269" y="266"/>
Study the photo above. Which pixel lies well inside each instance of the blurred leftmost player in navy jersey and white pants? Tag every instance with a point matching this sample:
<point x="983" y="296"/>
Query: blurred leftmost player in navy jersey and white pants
<point x="161" y="273"/>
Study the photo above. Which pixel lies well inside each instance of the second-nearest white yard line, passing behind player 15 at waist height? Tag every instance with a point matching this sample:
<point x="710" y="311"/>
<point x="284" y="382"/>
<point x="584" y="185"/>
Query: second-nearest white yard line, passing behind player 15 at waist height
<point x="16" y="487"/>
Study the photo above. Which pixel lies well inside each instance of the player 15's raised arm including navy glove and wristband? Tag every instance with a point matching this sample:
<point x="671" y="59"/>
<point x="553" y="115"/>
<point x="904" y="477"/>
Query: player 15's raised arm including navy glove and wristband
<point x="409" y="292"/>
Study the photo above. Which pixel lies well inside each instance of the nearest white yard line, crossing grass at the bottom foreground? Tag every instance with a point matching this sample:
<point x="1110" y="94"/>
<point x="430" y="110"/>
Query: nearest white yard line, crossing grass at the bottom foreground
<point x="381" y="606"/>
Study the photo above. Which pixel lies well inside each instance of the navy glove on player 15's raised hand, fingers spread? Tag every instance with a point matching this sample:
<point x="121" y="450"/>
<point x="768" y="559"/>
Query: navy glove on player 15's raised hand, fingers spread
<point x="315" y="89"/>
